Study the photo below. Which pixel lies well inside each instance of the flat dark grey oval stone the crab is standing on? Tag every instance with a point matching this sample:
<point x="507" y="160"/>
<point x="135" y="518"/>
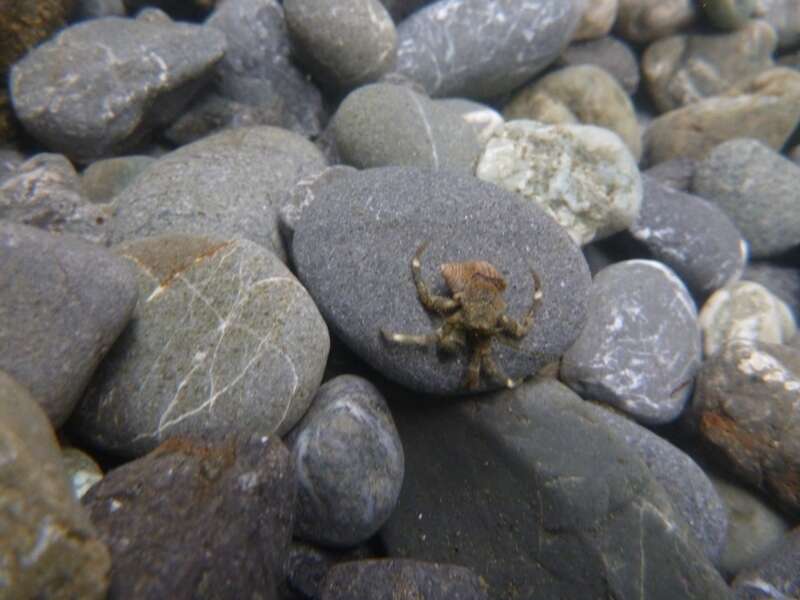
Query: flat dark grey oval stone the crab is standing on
<point x="353" y="249"/>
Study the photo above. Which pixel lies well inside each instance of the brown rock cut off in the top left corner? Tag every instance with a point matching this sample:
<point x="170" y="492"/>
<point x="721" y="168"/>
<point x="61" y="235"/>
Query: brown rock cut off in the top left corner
<point x="24" y="23"/>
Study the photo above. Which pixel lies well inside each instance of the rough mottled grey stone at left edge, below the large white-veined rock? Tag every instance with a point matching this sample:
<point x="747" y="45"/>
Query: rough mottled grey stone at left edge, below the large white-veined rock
<point x="46" y="192"/>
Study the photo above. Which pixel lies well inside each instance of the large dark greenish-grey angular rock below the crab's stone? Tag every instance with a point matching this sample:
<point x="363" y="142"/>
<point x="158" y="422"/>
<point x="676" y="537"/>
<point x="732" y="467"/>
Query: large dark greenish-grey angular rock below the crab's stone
<point x="509" y="484"/>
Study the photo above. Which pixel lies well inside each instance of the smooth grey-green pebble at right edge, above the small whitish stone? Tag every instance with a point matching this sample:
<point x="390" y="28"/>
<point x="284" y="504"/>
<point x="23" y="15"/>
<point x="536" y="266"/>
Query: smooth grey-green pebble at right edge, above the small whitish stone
<point x="757" y="188"/>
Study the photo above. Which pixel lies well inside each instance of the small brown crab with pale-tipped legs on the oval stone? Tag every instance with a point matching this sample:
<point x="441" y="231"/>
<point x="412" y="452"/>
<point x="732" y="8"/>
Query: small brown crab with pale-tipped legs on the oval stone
<point x="473" y="317"/>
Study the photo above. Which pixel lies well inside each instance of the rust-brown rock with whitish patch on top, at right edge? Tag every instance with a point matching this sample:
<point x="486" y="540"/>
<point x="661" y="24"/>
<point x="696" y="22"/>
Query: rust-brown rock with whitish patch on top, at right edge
<point x="745" y="410"/>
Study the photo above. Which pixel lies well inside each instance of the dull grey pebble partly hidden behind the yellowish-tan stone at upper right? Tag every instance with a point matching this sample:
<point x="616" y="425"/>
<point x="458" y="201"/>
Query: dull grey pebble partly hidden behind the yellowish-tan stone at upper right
<point x="608" y="53"/>
